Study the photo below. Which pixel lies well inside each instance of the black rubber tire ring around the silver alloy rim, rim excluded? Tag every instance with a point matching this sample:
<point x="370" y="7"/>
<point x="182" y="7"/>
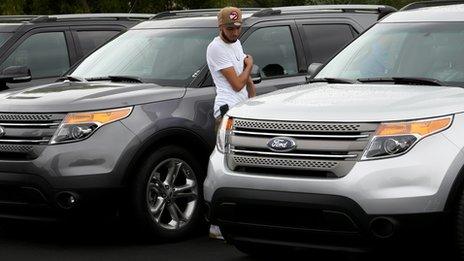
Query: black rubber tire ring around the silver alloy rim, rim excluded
<point x="140" y="213"/>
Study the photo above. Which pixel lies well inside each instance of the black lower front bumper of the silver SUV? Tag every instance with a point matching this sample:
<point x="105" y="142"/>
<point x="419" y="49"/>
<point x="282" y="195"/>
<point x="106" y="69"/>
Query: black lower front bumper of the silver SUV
<point x="323" y="222"/>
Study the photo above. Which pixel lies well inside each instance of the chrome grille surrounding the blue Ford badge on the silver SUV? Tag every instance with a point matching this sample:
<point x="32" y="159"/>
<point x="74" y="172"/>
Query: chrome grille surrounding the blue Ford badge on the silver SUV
<point x="325" y="147"/>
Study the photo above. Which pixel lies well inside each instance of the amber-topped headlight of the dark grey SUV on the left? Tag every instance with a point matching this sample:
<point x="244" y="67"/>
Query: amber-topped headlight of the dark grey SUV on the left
<point x="80" y="125"/>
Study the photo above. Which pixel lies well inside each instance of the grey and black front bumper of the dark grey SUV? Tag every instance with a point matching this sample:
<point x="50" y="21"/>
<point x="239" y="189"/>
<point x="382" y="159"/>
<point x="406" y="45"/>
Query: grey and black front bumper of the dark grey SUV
<point x="92" y="170"/>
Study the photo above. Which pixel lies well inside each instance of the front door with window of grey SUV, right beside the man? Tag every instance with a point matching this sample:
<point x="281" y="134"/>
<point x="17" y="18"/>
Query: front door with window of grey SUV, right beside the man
<point x="277" y="49"/>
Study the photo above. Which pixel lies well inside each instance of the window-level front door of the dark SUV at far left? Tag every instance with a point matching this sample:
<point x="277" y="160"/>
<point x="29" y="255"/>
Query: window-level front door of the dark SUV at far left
<point x="44" y="51"/>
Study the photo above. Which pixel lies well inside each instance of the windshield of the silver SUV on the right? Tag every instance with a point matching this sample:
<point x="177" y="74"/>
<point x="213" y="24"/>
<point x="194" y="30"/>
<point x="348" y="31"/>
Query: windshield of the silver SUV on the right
<point x="418" y="50"/>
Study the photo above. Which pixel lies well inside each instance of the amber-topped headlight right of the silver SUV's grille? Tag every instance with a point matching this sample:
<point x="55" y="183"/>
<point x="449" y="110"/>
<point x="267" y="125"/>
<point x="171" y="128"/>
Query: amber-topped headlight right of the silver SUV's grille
<point x="394" y="139"/>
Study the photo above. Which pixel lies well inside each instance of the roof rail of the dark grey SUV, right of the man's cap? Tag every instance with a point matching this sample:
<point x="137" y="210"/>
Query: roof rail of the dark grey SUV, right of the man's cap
<point x="382" y="10"/>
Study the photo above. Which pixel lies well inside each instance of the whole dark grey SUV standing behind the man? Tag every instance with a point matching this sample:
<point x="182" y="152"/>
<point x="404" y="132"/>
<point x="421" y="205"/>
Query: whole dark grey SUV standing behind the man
<point x="131" y="126"/>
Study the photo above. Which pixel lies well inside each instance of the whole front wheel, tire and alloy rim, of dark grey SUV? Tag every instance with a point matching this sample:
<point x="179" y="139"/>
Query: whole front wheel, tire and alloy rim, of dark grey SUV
<point x="165" y="197"/>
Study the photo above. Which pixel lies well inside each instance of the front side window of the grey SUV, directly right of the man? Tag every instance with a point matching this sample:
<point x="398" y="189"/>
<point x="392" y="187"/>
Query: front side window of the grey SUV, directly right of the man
<point x="273" y="51"/>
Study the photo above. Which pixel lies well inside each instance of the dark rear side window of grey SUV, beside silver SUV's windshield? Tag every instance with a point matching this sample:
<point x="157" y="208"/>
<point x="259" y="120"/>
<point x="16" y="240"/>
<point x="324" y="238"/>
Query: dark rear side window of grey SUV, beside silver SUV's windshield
<point x="324" y="40"/>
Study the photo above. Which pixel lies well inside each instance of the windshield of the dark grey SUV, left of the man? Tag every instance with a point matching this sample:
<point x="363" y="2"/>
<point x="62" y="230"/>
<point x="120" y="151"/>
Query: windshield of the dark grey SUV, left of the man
<point x="162" y="56"/>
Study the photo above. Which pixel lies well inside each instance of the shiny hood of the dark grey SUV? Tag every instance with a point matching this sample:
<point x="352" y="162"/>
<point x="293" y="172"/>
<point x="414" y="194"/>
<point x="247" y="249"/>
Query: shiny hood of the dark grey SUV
<point x="85" y="96"/>
